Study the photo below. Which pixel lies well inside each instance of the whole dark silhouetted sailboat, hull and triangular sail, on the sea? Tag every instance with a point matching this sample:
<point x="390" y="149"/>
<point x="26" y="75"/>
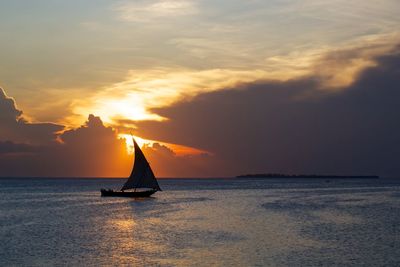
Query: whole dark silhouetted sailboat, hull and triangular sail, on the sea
<point x="142" y="179"/>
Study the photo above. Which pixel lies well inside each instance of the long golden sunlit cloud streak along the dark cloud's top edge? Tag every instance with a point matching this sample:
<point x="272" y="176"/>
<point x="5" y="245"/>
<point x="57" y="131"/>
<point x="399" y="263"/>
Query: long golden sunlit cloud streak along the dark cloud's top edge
<point x="142" y="92"/>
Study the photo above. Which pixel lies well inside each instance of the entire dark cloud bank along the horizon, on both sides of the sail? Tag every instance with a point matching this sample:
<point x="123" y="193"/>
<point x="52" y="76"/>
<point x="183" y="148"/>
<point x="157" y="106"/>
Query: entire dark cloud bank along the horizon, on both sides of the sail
<point x="290" y="127"/>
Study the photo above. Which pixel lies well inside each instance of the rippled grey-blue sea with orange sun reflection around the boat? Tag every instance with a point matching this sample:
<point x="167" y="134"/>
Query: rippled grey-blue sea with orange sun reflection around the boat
<point x="201" y="222"/>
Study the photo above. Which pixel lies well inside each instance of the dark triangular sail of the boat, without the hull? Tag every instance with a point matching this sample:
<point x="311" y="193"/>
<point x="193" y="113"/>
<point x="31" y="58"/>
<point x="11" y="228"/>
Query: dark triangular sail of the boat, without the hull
<point x="142" y="176"/>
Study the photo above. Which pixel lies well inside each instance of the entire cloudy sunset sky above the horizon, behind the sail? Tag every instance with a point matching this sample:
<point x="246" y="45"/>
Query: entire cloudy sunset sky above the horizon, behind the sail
<point x="208" y="88"/>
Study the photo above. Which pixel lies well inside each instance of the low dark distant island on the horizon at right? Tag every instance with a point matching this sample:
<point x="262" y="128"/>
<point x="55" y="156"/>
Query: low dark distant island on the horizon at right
<point x="280" y="175"/>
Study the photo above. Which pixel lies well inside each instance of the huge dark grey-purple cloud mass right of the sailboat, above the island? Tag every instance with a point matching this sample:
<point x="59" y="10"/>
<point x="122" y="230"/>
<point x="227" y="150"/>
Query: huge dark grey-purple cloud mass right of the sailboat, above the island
<point x="294" y="126"/>
